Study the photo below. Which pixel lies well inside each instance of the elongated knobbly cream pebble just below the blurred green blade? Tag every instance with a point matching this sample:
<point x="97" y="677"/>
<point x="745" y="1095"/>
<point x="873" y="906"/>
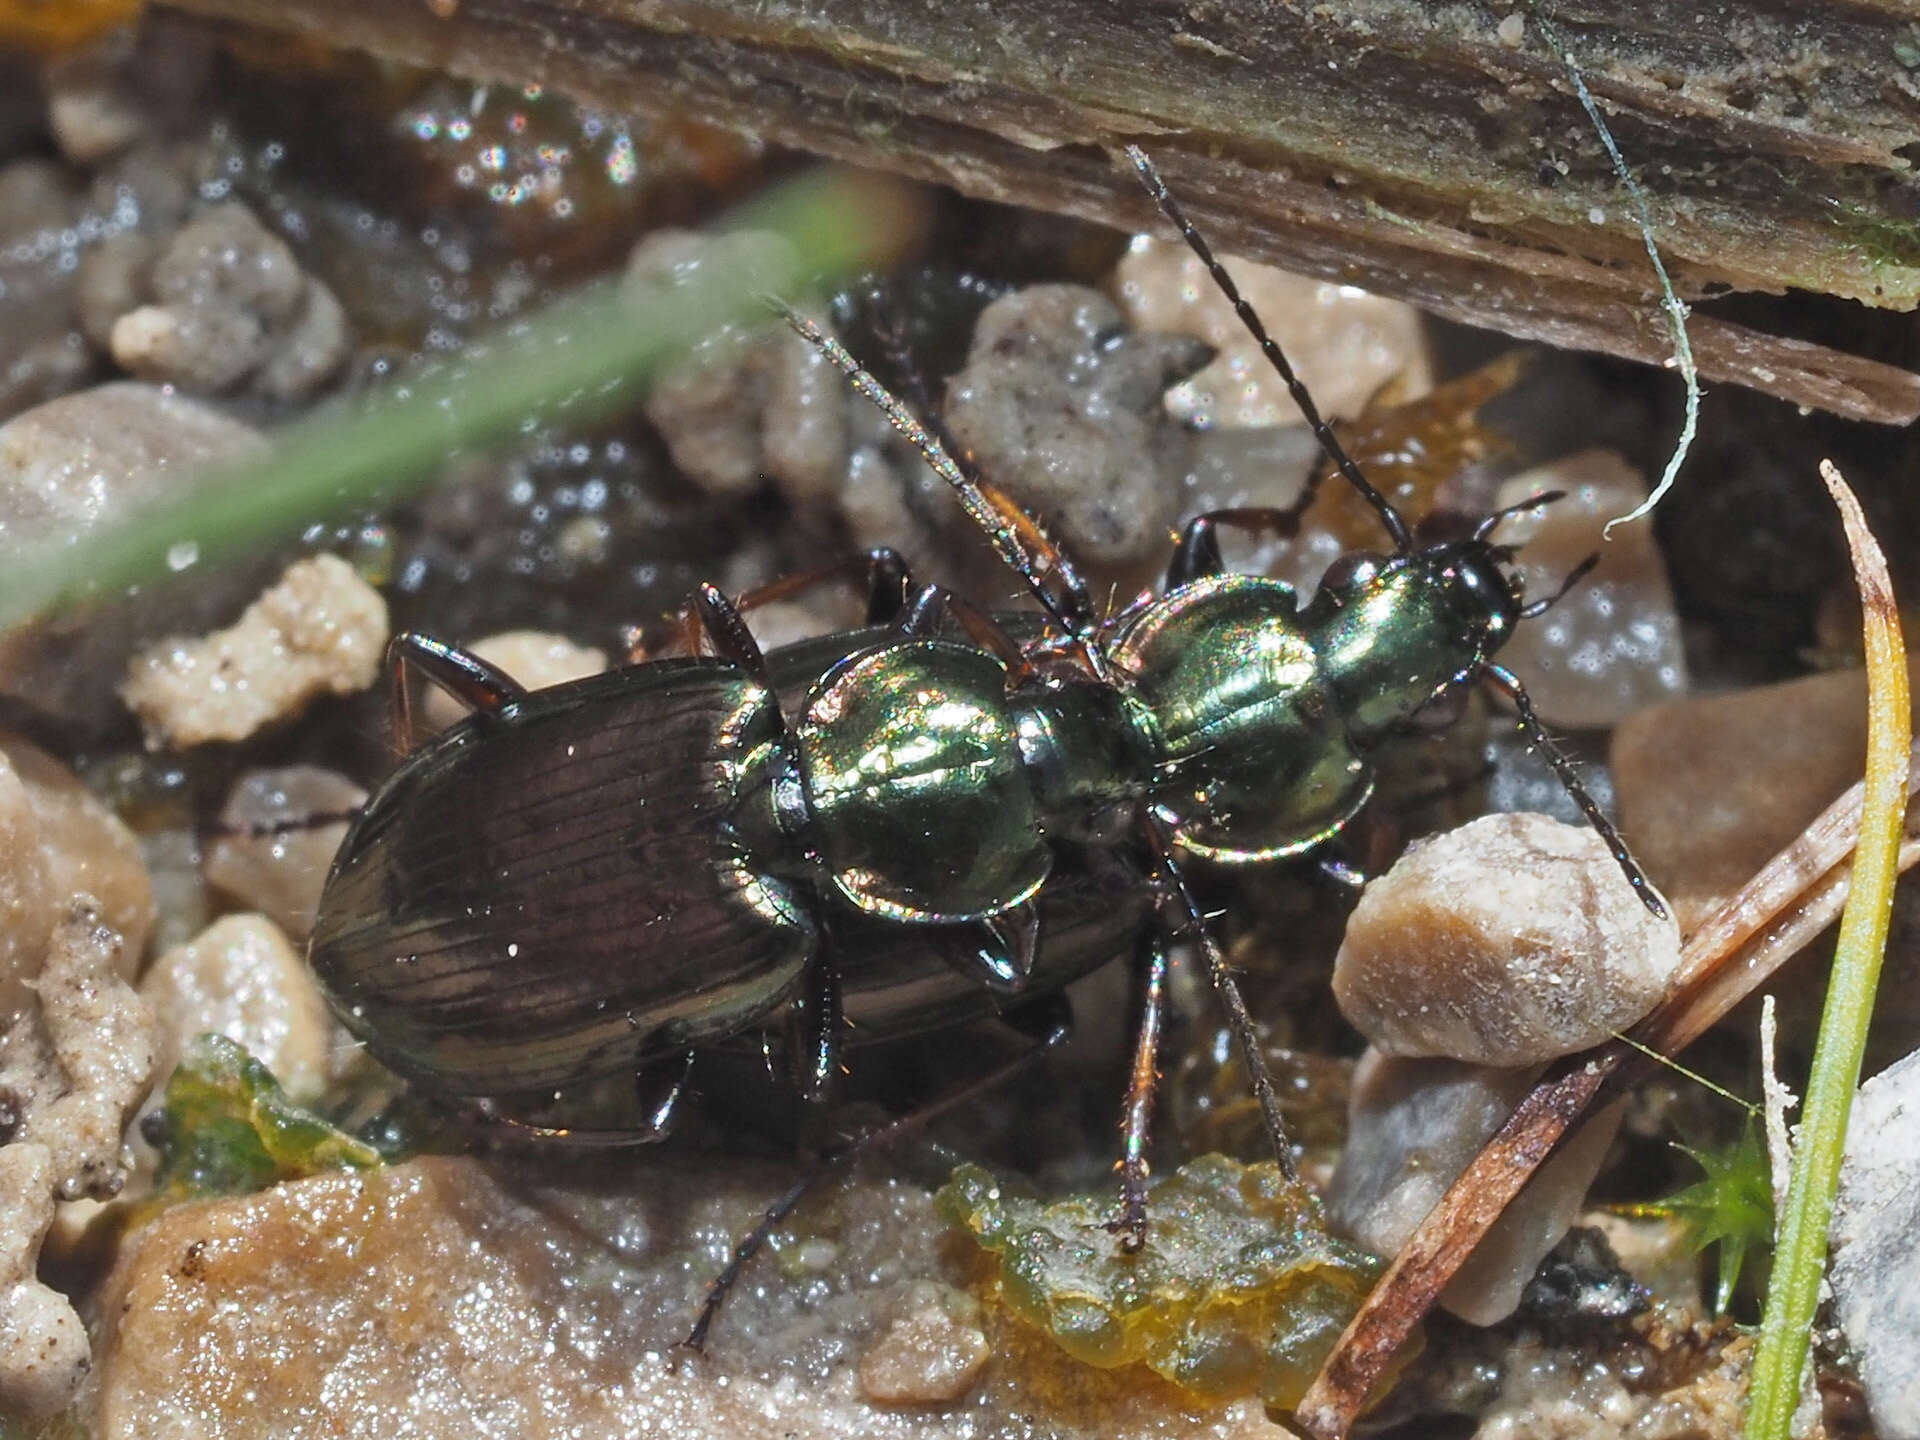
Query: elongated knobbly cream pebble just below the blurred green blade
<point x="318" y="633"/>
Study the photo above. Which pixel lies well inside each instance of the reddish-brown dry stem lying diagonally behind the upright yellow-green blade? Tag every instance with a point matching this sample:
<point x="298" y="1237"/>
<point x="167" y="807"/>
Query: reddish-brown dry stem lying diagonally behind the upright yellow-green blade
<point x="1773" y="919"/>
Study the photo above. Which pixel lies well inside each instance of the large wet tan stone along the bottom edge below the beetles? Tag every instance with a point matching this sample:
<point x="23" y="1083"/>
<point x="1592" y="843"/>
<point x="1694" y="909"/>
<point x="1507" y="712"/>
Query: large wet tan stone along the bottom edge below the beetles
<point x="452" y="1299"/>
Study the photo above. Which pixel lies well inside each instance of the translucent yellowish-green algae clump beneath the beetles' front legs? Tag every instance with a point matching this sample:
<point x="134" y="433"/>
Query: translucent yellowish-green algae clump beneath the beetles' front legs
<point x="1239" y="1289"/>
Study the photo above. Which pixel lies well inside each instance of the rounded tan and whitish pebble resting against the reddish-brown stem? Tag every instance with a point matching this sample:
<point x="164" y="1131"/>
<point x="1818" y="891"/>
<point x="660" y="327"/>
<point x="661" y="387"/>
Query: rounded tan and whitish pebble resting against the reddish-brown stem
<point x="1508" y="942"/>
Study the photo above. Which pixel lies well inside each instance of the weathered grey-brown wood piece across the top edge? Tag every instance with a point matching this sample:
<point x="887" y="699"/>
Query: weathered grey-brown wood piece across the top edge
<point x="1431" y="153"/>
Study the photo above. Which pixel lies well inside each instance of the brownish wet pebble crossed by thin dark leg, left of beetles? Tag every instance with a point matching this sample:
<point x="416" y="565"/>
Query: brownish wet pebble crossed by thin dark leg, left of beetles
<point x="281" y="875"/>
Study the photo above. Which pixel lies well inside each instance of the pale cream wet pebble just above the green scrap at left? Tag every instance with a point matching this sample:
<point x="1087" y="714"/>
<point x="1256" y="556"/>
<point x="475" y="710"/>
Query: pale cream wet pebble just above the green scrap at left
<point x="245" y="980"/>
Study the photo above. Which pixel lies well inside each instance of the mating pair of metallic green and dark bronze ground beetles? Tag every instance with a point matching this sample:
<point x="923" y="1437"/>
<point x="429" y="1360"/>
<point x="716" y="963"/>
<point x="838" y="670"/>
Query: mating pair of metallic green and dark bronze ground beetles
<point x="894" y="830"/>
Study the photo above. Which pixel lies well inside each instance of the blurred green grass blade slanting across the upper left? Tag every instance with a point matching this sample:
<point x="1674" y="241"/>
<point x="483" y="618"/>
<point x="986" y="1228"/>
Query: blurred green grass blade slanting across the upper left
<point x="581" y="358"/>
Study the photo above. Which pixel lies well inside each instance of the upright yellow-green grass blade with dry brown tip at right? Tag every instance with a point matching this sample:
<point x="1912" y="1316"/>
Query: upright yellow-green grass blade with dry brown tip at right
<point x="1800" y="1259"/>
